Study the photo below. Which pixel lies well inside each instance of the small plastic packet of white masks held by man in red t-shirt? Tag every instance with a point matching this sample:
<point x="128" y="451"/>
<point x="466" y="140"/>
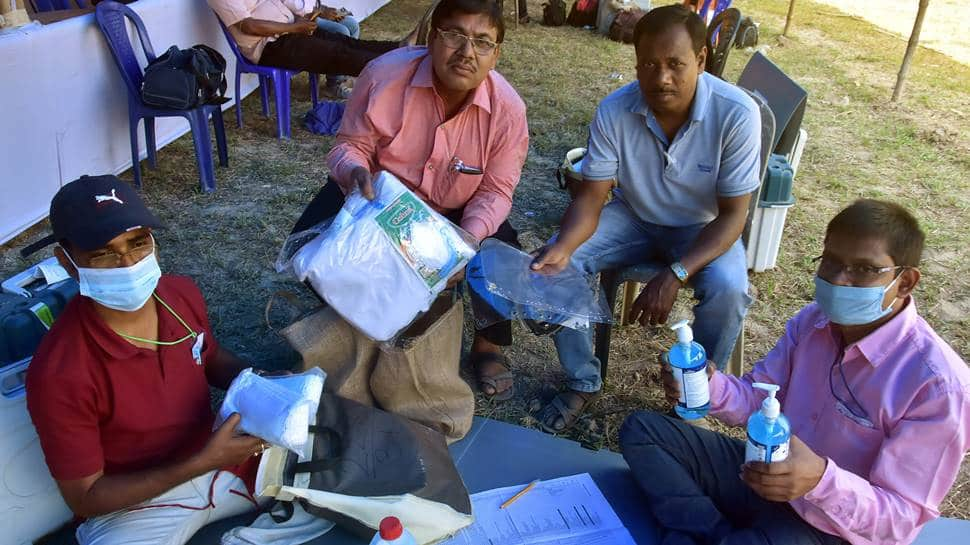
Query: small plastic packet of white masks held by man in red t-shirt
<point x="277" y="409"/>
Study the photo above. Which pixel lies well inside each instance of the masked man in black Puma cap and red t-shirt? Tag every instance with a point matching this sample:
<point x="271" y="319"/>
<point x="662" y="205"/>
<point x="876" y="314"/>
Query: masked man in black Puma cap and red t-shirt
<point x="119" y="387"/>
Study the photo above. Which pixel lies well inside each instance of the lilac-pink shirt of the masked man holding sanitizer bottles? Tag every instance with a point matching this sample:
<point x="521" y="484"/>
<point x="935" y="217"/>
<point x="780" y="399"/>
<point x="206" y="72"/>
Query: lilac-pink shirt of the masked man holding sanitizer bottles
<point x="885" y="479"/>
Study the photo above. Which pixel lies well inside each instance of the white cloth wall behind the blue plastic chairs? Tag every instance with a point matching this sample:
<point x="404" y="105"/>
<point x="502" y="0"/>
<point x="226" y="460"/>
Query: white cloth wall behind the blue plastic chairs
<point x="63" y="104"/>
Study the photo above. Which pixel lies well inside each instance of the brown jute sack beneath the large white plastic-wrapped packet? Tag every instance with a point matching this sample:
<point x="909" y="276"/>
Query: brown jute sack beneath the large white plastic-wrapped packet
<point x="417" y="377"/>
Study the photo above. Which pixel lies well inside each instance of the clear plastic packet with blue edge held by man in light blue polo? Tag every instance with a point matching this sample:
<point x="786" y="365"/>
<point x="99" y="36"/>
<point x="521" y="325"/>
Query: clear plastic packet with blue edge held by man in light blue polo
<point x="501" y="277"/>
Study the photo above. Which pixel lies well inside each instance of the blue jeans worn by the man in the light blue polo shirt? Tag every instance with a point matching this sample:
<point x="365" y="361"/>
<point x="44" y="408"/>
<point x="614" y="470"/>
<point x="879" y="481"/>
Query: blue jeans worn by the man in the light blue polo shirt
<point x="623" y="239"/>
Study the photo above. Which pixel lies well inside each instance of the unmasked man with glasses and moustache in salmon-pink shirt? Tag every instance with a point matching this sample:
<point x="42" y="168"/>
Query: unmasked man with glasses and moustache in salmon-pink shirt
<point x="452" y="129"/>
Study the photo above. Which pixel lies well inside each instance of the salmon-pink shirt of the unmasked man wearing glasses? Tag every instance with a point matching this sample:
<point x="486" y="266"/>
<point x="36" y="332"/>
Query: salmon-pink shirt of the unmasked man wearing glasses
<point x="394" y="121"/>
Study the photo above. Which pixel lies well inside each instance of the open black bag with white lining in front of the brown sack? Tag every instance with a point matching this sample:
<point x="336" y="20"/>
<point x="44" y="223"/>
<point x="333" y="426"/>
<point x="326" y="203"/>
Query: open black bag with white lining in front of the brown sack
<point x="365" y="456"/>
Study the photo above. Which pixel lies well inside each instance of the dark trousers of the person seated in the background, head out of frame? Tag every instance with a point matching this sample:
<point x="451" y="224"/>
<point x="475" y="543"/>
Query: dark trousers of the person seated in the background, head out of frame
<point x="323" y="53"/>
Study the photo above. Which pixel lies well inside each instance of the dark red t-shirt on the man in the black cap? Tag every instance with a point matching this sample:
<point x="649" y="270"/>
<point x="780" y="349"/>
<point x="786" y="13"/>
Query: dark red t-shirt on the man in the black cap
<point x="100" y="402"/>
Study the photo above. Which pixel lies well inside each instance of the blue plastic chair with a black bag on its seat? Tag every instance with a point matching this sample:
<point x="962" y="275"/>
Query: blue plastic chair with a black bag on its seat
<point x="111" y="16"/>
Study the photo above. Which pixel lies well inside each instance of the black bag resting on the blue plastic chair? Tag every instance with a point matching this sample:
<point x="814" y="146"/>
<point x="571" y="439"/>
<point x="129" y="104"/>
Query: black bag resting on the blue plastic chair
<point x="181" y="79"/>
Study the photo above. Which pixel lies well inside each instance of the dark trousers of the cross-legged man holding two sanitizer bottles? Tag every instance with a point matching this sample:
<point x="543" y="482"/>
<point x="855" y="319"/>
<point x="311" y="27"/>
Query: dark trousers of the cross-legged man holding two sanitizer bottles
<point x="690" y="478"/>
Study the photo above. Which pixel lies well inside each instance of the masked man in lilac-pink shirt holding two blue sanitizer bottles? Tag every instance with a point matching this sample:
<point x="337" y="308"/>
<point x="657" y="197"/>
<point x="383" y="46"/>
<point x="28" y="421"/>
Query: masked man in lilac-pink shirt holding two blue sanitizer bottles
<point x="879" y="408"/>
